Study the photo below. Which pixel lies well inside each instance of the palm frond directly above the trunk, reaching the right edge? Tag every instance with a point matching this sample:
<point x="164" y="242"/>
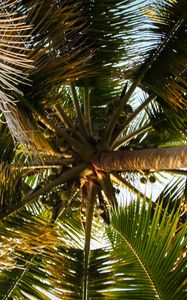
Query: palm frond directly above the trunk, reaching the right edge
<point x="168" y="127"/>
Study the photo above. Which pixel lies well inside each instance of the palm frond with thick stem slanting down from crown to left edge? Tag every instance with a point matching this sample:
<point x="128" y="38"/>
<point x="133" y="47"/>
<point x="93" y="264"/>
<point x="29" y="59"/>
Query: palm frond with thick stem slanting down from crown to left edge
<point x="9" y="184"/>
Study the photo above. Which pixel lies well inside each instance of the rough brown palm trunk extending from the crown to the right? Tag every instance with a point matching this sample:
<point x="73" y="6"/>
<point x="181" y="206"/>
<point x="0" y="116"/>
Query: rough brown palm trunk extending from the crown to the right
<point x="146" y="159"/>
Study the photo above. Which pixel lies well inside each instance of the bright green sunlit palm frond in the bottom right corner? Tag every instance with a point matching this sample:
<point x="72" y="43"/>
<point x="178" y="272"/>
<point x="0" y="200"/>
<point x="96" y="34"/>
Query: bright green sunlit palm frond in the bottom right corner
<point x="151" y="253"/>
